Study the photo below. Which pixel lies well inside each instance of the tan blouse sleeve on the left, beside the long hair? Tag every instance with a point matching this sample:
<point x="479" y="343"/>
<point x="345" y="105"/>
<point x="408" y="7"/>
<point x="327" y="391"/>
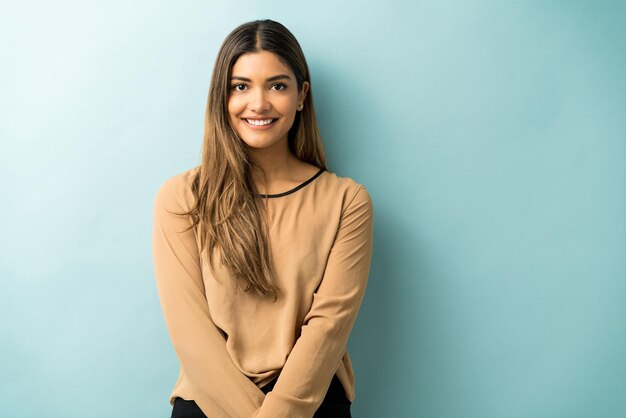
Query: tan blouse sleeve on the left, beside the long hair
<point x="219" y="388"/>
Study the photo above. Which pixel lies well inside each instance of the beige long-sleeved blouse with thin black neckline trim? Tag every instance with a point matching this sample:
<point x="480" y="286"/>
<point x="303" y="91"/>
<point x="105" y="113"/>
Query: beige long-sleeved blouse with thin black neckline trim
<point x="230" y="343"/>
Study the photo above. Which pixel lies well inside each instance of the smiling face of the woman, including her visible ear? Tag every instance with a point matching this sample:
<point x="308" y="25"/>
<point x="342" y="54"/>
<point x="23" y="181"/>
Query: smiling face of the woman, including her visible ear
<point x="263" y="100"/>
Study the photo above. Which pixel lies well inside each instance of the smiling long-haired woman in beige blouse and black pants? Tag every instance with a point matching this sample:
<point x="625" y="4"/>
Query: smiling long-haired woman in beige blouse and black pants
<point x="261" y="254"/>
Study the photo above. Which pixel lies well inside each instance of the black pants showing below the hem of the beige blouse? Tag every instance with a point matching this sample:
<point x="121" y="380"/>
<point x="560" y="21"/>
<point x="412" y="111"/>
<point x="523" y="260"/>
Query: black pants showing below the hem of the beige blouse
<point x="334" y="405"/>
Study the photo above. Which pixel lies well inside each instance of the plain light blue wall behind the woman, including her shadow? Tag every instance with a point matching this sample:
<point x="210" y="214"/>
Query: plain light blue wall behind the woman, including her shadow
<point x="491" y="136"/>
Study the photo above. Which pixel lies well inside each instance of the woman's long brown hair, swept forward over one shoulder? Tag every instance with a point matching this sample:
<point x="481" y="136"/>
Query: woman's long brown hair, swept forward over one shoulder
<point x="228" y="211"/>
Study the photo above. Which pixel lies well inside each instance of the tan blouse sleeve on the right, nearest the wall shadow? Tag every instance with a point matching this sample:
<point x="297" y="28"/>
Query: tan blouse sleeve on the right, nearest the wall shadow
<point x="309" y="368"/>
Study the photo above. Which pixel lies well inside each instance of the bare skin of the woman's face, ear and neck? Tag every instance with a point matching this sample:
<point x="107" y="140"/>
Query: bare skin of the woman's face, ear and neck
<point x="263" y="87"/>
